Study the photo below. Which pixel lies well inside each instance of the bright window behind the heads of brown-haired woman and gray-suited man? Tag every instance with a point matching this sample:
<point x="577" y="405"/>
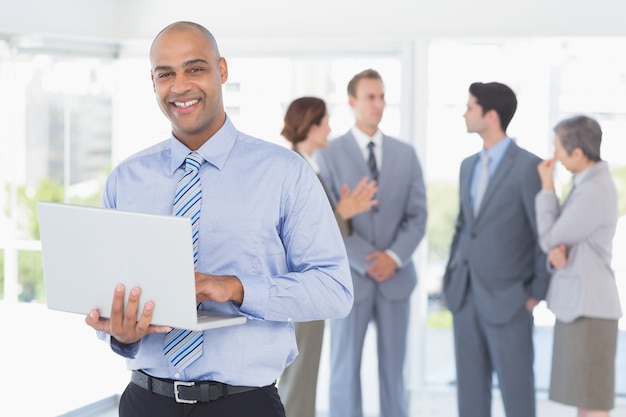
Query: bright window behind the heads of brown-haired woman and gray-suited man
<point x="266" y="86"/>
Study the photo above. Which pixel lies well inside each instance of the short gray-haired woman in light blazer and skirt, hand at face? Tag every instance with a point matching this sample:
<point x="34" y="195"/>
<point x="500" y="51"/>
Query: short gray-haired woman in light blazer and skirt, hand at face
<point x="578" y="236"/>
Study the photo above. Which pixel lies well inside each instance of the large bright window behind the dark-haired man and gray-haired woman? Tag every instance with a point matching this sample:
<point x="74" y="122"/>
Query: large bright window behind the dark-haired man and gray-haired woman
<point x="567" y="77"/>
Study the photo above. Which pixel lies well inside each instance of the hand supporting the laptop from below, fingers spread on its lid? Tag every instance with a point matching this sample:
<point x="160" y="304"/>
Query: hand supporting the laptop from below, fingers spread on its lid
<point x="123" y="324"/>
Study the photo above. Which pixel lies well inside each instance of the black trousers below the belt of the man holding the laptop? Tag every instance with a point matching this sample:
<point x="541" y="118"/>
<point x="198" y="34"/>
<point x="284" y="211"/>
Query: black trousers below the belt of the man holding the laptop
<point x="263" y="402"/>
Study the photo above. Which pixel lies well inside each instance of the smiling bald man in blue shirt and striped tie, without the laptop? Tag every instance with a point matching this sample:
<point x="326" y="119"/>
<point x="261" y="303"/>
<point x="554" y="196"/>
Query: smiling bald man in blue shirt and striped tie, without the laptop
<point x="259" y="253"/>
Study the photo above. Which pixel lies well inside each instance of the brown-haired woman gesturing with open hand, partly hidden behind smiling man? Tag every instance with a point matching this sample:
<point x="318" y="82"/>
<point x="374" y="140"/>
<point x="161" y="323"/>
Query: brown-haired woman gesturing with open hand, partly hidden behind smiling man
<point x="306" y="127"/>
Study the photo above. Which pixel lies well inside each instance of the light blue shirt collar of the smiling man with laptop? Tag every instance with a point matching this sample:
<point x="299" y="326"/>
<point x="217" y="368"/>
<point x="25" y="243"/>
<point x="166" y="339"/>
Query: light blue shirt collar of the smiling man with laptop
<point x="215" y="150"/>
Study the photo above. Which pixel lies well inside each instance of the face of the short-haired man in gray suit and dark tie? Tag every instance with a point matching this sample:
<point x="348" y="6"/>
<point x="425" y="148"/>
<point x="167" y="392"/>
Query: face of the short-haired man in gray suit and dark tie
<point x="368" y="104"/>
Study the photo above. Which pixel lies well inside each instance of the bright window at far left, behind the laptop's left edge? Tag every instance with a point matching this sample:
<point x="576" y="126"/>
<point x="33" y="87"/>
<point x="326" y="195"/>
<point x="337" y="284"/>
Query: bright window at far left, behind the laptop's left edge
<point x="60" y="119"/>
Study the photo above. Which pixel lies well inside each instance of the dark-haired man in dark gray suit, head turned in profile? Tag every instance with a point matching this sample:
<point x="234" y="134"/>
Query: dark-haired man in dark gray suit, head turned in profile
<point x="497" y="272"/>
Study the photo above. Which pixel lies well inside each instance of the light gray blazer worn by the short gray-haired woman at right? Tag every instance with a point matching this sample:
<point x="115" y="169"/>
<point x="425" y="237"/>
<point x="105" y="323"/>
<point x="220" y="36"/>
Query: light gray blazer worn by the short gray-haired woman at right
<point x="586" y="225"/>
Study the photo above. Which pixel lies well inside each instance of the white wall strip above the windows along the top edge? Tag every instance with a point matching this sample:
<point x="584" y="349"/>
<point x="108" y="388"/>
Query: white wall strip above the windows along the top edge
<point x="373" y="19"/>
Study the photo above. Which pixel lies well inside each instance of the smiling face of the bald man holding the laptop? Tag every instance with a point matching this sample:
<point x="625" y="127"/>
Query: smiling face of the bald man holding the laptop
<point x="187" y="77"/>
